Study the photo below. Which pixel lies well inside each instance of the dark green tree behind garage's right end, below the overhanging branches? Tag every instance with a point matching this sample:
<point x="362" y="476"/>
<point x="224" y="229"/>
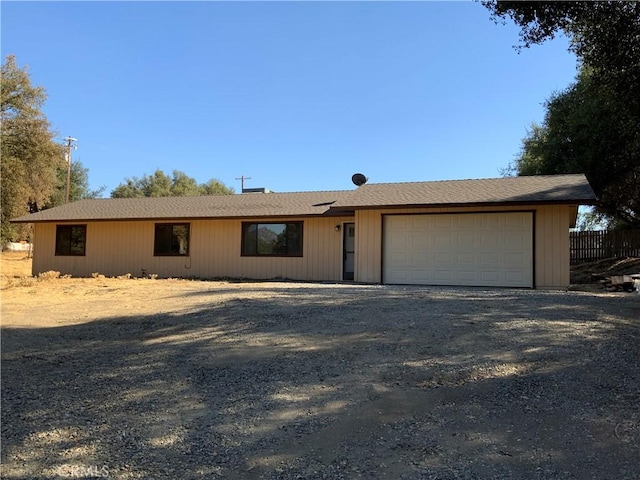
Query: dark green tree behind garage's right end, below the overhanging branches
<point x="589" y="130"/>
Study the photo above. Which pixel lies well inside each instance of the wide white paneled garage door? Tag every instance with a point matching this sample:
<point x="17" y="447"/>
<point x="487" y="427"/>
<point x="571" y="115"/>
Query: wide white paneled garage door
<point x="478" y="249"/>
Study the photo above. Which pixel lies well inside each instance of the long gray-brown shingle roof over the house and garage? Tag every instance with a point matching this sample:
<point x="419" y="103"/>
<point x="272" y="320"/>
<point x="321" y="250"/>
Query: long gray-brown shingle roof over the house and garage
<point x="538" y="189"/>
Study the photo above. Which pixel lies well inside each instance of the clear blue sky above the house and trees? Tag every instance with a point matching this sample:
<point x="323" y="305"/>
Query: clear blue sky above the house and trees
<point x="296" y="95"/>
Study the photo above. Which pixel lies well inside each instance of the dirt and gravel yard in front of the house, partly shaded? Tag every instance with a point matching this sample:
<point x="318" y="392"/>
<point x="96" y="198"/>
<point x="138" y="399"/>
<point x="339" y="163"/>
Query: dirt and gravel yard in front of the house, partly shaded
<point x="140" y="379"/>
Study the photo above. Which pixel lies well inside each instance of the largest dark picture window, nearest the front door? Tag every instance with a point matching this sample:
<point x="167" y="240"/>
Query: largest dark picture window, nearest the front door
<point x="275" y="239"/>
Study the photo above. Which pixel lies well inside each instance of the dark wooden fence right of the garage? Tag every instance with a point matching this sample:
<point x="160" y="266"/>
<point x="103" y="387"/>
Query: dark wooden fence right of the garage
<point x="595" y="245"/>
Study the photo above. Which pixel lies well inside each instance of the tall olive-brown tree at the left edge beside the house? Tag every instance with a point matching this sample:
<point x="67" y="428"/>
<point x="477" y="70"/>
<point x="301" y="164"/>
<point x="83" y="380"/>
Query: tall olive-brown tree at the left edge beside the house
<point x="30" y="157"/>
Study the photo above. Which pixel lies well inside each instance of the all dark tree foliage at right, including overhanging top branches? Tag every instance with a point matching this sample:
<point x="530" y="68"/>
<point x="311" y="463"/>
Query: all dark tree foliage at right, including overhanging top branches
<point x="593" y="127"/>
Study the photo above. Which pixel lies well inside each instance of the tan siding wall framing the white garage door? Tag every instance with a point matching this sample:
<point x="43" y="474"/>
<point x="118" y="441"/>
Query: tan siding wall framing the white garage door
<point x="551" y="240"/>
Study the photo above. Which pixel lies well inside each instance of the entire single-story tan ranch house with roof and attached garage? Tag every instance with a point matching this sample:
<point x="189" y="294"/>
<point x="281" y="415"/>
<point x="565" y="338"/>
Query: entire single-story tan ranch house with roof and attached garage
<point x="502" y="232"/>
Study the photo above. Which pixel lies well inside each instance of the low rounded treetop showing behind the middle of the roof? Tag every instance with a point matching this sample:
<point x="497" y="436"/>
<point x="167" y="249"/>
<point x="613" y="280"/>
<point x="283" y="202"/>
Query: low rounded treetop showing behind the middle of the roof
<point x="160" y="184"/>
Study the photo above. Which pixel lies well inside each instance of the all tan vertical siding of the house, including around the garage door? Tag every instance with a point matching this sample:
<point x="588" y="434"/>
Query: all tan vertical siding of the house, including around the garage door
<point x="117" y="248"/>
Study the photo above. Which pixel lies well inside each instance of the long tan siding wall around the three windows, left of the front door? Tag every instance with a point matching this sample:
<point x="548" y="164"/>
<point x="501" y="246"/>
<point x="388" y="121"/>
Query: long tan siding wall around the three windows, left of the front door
<point x="117" y="248"/>
